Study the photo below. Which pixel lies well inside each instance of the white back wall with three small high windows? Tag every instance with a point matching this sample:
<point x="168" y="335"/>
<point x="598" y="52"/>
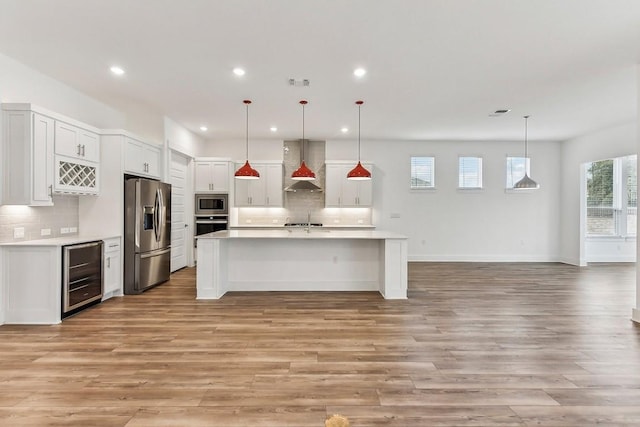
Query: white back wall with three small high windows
<point x="456" y="225"/>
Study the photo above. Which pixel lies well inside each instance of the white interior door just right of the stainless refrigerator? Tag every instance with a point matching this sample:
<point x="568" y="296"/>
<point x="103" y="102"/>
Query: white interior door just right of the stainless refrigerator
<point x="179" y="229"/>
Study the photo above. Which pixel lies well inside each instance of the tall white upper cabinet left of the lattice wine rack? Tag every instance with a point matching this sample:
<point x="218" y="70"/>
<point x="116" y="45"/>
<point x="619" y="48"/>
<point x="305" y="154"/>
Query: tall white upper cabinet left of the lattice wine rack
<point x="28" y="144"/>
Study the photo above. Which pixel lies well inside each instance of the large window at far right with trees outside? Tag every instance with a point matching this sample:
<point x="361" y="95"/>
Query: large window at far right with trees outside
<point x="612" y="197"/>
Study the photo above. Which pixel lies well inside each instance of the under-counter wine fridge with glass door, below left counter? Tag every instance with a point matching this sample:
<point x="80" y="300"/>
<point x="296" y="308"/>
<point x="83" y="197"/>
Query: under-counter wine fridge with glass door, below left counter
<point x="81" y="276"/>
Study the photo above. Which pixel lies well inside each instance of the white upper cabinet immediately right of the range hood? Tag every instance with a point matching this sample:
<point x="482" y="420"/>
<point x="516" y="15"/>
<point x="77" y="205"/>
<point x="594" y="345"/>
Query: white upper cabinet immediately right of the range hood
<point x="343" y="192"/>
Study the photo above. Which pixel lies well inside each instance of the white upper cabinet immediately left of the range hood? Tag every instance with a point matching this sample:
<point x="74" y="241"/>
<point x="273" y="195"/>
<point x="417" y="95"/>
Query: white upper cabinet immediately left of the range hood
<point x="263" y="192"/>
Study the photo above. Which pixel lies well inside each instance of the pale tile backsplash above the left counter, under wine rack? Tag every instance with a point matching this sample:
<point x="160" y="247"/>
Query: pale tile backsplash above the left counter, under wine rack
<point x="63" y="214"/>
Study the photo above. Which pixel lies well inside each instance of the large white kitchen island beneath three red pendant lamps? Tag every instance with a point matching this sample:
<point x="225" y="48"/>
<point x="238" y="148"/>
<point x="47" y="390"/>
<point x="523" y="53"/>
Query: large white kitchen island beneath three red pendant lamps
<point x="302" y="260"/>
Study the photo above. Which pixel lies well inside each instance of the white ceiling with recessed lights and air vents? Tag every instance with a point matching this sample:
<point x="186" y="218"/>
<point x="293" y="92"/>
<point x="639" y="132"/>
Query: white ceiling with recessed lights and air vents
<point x="436" y="68"/>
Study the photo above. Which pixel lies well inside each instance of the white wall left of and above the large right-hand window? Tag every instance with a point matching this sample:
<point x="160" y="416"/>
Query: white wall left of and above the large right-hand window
<point x="608" y="143"/>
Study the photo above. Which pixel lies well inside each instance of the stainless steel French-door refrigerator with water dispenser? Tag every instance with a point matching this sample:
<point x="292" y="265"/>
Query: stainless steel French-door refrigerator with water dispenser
<point x="147" y="231"/>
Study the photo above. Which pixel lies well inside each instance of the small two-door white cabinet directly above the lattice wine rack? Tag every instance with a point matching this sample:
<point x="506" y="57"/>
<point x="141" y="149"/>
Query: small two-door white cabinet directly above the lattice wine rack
<point x="77" y="143"/>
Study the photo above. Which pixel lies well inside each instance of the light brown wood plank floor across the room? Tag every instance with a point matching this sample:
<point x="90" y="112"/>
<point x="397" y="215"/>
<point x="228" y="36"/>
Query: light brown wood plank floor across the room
<point x="474" y="345"/>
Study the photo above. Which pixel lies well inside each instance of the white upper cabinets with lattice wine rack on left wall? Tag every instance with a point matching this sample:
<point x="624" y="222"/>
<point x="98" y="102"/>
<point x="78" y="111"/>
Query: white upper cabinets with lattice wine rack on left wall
<point x="45" y="153"/>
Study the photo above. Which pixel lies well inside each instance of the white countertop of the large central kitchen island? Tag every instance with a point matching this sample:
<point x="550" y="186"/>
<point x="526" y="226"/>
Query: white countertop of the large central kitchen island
<point x="301" y="233"/>
